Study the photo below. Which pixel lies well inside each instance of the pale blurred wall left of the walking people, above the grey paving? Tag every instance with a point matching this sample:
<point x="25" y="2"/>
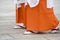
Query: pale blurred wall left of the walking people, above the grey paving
<point x="7" y="8"/>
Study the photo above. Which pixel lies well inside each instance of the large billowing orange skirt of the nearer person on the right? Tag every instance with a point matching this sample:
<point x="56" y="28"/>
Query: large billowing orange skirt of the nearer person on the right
<point x="41" y="18"/>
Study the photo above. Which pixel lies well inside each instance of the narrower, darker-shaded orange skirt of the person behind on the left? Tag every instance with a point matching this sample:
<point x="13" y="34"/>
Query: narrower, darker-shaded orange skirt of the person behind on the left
<point x="20" y="14"/>
